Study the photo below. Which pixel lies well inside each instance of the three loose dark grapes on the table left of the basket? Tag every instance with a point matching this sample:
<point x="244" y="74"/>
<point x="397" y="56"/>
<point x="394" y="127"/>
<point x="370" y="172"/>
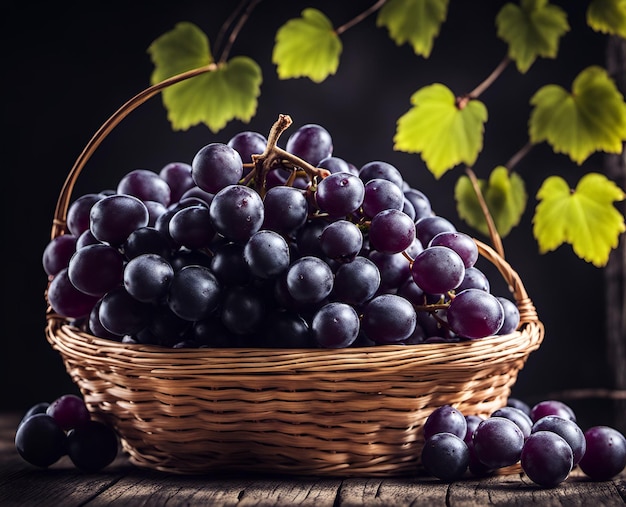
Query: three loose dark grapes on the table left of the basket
<point x="49" y="431"/>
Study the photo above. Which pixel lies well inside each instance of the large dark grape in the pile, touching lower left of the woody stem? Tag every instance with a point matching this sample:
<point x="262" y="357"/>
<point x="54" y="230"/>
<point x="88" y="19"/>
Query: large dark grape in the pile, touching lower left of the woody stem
<point x="237" y="212"/>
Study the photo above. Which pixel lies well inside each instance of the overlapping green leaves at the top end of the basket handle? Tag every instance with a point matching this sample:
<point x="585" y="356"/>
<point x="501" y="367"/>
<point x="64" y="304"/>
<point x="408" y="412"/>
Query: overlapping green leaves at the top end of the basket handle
<point x="228" y="92"/>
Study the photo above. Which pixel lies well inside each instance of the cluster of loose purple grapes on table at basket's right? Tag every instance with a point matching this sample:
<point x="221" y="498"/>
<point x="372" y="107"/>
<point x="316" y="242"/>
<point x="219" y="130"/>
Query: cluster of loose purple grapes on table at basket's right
<point x="545" y="440"/>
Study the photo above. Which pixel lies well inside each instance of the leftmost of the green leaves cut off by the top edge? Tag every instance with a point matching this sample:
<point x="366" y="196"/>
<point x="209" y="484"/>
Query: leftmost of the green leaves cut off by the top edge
<point x="415" y="21"/>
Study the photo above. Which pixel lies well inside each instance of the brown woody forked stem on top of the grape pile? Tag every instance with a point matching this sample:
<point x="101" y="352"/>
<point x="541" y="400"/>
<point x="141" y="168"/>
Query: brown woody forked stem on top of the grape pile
<point x="274" y="156"/>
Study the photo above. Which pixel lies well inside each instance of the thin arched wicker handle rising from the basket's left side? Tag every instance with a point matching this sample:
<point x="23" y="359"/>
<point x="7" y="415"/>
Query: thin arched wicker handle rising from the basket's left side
<point x="60" y="212"/>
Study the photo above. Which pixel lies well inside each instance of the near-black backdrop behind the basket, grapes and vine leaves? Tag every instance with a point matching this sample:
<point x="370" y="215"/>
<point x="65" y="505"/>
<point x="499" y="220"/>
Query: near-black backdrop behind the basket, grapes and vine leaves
<point x="68" y="66"/>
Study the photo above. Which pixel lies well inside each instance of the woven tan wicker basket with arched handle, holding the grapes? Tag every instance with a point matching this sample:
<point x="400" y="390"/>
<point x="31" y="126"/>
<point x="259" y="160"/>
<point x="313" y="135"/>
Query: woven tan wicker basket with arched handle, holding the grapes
<point x="347" y="412"/>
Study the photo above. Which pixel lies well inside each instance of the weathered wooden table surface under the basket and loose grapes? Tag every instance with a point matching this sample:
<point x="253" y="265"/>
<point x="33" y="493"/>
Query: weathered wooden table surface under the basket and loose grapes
<point x="123" y="484"/>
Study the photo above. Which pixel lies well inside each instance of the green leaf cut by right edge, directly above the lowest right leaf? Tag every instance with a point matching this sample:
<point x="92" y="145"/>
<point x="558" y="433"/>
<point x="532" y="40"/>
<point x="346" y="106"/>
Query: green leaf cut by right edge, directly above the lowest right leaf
<point x="591" y="118"/>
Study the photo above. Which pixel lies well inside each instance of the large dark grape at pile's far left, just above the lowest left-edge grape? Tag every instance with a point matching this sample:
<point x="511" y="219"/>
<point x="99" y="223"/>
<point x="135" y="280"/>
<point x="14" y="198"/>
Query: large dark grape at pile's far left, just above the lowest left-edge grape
<point x="96" y="269"/>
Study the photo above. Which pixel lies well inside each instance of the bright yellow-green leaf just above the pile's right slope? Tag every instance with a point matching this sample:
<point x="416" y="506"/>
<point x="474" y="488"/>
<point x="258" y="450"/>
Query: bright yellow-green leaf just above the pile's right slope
<point x="445" y="133"/>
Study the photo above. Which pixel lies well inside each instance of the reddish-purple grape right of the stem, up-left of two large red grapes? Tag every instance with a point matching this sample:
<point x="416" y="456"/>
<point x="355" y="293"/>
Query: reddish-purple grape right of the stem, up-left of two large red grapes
<point x="391" y="231"/>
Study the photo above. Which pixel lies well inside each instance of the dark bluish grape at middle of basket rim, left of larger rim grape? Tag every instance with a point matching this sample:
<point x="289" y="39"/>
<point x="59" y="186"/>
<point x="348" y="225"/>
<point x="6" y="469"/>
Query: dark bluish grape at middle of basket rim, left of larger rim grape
<point x="335" y="325"/>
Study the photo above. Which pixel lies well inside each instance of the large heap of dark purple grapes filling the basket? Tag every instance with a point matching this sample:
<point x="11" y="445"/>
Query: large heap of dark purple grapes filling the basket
<point x="252" y="245"/>
